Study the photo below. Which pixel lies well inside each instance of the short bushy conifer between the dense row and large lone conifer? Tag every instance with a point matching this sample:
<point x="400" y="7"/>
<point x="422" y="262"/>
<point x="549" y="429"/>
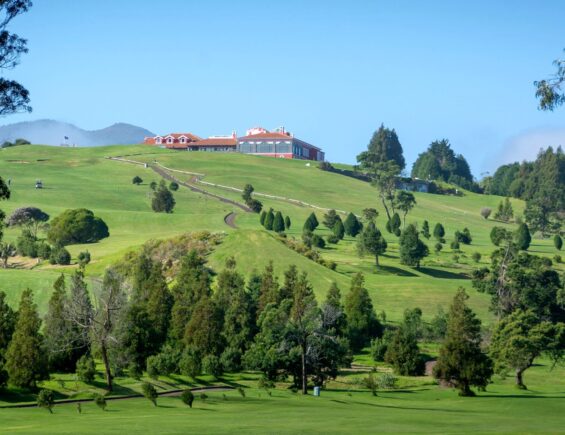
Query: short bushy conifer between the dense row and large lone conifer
<point x="403" y="353"/>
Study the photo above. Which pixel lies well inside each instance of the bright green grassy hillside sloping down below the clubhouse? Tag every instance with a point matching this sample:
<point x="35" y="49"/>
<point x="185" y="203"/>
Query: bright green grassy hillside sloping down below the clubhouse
<point x="84" y="177"/>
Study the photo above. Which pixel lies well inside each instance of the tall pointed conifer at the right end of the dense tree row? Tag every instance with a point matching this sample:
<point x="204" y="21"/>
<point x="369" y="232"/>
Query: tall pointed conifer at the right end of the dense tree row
<point x="362" y="322"/>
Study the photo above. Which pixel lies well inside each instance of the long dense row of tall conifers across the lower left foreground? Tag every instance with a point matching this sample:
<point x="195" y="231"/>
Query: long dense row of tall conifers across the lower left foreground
<point x="133" y="322"/>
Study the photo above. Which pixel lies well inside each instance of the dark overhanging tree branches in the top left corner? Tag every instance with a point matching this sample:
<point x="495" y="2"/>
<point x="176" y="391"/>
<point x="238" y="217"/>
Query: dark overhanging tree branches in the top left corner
<point x="13" y="96"/>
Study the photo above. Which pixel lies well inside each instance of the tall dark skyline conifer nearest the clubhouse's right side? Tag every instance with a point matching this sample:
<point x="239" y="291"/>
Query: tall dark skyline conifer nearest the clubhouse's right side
<point x="383" y="147"/>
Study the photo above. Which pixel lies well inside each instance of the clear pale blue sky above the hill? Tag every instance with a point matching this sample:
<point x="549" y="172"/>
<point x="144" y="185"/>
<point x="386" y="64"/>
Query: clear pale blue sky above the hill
<point x="331" y="72"/>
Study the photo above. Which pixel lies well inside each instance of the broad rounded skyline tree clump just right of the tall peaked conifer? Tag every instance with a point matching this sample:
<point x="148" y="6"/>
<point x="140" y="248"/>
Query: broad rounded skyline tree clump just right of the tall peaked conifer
<point x="439" y="162"/>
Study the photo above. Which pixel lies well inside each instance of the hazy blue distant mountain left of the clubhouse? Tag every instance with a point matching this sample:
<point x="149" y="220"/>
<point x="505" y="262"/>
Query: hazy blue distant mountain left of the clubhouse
<point x="49" y="132"/>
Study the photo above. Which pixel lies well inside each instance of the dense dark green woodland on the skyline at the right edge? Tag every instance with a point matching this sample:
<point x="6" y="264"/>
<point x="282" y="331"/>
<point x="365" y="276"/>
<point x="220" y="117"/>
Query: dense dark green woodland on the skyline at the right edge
<point x="540" y="183"/>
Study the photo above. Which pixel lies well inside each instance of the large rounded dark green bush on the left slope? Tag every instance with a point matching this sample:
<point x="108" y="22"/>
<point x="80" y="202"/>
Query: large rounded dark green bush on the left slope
<point x="77" y="226"/>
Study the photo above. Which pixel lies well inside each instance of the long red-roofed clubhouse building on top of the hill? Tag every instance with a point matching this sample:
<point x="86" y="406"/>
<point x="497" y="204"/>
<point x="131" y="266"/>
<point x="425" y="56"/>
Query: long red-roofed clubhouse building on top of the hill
<point x="257" y="140"/>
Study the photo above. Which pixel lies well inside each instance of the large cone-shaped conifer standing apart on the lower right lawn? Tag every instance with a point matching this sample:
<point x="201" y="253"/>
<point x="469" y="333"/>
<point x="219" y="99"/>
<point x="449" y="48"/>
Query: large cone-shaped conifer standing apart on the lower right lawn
<point x="461" y="360"/>
